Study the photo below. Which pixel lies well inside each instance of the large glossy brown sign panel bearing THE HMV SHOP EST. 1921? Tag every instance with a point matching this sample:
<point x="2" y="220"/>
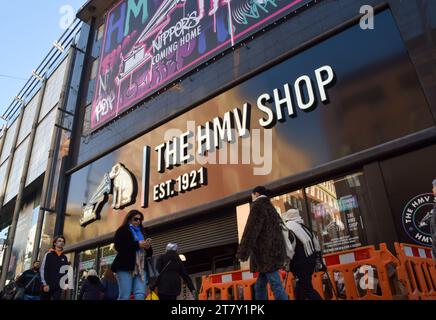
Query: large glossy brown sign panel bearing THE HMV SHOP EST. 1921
<point x="291" y="130"/>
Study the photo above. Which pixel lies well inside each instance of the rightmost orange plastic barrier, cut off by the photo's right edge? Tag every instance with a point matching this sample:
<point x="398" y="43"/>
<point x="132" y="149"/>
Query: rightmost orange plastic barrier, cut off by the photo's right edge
<point x="417" y="270"/>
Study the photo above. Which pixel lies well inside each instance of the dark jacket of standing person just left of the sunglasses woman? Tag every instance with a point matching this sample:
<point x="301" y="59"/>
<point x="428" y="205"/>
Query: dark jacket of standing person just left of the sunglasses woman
<point x="51" y="269"/>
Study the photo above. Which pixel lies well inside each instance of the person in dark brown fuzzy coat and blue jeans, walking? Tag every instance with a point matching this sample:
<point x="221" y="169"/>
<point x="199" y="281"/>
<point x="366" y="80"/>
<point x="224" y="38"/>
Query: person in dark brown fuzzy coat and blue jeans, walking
<point x="262" y="242"/>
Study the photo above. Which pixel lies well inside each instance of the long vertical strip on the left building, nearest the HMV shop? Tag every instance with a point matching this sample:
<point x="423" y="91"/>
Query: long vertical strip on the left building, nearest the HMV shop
<point x="52" y="155"/>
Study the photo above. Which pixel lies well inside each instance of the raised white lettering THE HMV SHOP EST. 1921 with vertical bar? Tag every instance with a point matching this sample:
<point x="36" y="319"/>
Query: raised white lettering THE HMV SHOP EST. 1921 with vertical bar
<point x="234" y="124"/>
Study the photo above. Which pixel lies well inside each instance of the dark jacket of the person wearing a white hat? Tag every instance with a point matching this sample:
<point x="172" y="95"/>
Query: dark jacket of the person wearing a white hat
<point x="169" y="279"/>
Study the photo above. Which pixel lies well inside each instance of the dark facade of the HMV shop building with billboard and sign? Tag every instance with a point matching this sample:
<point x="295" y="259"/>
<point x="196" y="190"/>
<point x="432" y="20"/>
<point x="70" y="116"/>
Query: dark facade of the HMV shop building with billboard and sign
<point x="185" y="106"/>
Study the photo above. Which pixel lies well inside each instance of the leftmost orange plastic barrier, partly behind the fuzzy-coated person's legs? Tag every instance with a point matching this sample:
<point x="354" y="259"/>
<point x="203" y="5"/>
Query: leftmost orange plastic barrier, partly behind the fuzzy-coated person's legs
<point x="235" y="285"/>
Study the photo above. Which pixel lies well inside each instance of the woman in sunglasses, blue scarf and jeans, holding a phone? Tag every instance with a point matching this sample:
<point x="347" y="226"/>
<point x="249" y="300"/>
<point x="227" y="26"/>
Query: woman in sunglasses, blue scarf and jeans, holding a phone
<point x="132" y="248"/>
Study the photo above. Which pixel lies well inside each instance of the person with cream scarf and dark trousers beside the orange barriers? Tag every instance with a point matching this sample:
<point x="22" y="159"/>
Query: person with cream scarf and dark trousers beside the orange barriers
<point x="306" y="253"/>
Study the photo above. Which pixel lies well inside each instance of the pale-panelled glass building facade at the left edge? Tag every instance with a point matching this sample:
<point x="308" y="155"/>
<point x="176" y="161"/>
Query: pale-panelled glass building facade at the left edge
<point x="33" y="144"/>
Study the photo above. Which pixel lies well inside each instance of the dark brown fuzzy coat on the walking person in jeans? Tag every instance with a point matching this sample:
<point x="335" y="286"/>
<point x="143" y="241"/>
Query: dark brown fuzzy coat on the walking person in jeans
<point x="262" y="239"/>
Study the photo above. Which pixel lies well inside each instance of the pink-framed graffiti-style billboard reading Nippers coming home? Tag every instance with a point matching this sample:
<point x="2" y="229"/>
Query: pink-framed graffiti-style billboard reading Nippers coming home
<point x="149" y="43"/>
